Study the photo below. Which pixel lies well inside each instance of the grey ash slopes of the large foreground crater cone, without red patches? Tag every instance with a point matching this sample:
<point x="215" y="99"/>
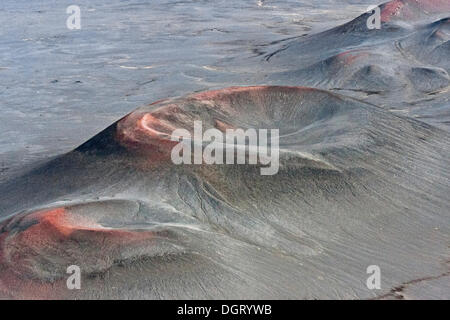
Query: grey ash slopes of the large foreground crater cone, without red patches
<point x="357" y="184"/>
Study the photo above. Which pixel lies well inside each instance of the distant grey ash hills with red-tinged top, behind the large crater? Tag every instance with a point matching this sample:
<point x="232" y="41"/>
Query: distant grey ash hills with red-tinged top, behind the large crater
<point x="404" y="66"/>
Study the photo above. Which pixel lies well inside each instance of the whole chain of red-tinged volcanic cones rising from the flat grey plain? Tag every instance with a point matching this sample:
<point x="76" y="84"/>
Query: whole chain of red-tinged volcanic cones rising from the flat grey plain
<point x="359" y="183"/>
